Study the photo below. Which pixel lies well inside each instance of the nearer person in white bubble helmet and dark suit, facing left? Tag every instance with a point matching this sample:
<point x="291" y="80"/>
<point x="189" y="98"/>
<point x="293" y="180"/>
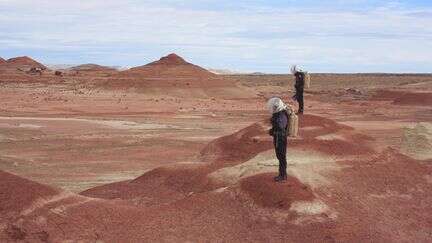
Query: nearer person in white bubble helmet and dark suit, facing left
<point x="279" y="122"/>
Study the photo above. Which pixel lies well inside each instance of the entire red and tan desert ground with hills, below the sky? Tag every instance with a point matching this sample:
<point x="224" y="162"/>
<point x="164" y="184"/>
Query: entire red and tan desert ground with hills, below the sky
<point x="170" y="152"/>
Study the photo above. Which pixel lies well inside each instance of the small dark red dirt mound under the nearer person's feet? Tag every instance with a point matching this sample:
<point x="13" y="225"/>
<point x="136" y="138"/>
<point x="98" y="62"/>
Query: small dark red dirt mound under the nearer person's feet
<point x="265" y="192"/>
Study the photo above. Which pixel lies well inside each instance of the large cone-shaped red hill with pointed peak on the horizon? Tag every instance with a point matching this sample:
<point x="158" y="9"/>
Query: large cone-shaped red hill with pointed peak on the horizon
<point x="173" y="76"/>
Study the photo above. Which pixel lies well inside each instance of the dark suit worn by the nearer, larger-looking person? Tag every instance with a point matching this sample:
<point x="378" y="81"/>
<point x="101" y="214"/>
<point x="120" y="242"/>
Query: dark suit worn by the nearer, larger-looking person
<point x="279" y="123"/>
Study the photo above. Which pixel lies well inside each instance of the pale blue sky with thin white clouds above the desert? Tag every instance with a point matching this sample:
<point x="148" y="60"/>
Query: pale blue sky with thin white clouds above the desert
<point x="257" y="36"/>
